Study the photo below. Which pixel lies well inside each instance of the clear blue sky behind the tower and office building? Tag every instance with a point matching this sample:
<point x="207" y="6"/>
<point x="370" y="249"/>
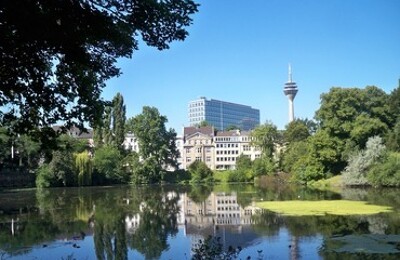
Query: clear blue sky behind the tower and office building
<point x="238" y="51"/>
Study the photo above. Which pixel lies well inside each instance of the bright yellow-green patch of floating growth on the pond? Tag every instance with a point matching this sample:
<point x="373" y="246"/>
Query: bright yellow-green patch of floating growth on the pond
<point x="322" y="207"/>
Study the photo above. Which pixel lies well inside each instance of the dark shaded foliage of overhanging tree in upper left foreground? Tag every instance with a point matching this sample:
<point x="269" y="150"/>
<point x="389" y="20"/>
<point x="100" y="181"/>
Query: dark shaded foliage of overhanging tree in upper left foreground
<point x="55" y="61"/>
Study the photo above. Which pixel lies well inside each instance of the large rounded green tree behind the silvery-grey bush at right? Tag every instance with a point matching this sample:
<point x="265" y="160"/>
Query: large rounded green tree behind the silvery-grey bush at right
<point x="347" y="118"/>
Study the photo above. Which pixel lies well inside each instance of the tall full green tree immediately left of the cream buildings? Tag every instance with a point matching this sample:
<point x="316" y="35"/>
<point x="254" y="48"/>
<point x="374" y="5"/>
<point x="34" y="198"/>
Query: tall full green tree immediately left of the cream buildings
<point x="157" y="145"/>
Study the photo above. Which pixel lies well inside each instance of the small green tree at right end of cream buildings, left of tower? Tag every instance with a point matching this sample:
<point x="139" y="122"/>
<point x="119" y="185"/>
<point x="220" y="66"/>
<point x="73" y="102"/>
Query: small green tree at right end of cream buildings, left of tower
<point x="264" y="136"/>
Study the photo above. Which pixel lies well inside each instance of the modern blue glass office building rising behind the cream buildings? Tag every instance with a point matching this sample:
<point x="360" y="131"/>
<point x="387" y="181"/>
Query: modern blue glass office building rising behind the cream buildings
<point x="221" y="114"/>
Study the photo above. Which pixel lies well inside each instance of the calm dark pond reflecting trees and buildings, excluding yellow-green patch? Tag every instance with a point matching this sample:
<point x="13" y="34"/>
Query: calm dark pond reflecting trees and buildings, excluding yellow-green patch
<point x="176" y="222"/>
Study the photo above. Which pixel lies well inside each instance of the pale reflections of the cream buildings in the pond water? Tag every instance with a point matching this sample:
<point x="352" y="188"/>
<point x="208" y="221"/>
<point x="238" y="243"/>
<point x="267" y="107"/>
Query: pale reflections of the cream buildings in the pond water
<point x="217" y="215"/>
